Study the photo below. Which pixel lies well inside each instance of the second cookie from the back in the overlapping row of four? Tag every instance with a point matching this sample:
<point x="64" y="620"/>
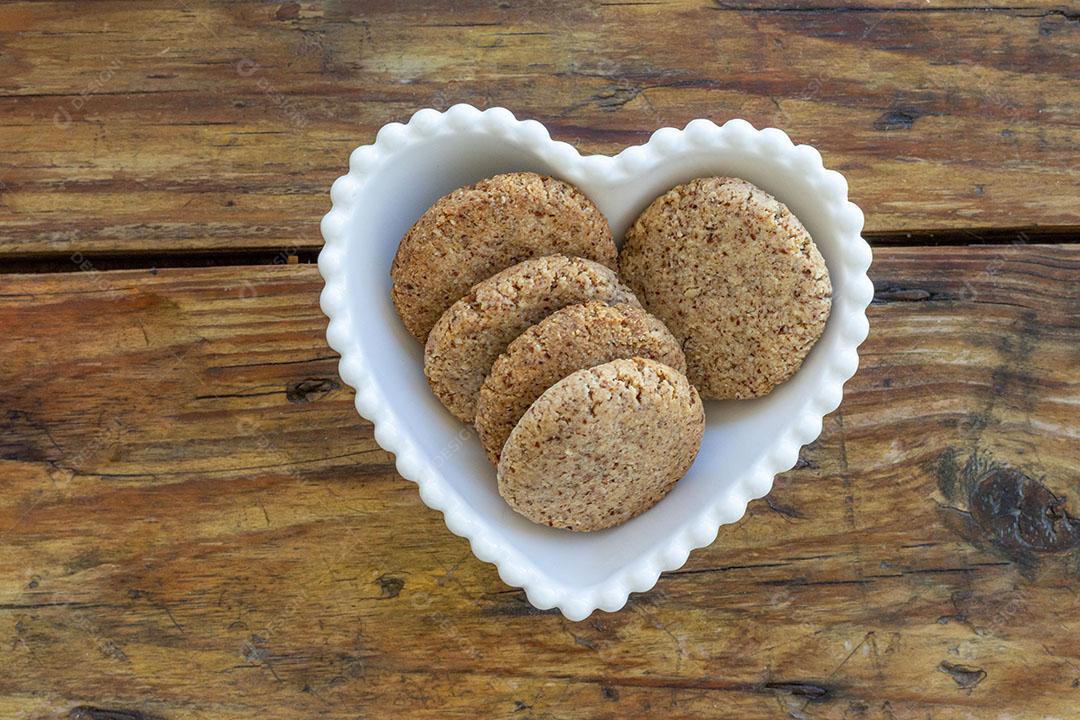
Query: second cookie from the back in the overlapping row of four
<point x="477" y="330"/>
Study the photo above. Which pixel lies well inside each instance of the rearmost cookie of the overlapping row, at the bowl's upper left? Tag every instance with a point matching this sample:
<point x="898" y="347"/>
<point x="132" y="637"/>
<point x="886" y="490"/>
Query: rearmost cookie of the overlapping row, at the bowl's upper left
<point x="475" y="233"/>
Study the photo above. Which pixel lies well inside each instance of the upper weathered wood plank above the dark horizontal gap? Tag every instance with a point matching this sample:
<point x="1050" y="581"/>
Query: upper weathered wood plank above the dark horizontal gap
<point x="131" y="127"/>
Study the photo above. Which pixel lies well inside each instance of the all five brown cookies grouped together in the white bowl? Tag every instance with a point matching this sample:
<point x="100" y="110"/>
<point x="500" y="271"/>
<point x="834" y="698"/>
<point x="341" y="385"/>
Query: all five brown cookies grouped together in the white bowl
<point x="584" y="383"/>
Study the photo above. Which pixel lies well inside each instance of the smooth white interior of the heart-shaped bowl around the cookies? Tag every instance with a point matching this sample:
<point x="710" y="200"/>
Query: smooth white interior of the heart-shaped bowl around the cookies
<point x="738" y="433"/>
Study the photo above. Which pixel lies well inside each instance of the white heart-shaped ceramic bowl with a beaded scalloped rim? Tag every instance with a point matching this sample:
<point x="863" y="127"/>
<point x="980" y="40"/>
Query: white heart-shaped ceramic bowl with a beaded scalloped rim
<point x="391" y="183"/>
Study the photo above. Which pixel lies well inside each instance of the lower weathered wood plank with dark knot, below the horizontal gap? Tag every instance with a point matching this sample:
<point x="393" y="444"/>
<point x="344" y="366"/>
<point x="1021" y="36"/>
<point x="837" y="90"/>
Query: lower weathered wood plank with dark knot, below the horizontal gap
<point x="196" y="524"/>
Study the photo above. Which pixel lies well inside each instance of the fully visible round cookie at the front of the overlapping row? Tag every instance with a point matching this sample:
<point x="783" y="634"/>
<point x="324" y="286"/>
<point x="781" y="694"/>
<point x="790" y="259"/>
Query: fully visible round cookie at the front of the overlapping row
<point x="603" y="445"/>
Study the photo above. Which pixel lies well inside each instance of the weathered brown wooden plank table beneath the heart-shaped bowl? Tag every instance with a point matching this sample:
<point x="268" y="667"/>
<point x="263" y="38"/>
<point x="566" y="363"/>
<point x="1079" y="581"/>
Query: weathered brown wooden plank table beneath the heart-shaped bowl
<point x="196" y="524"/>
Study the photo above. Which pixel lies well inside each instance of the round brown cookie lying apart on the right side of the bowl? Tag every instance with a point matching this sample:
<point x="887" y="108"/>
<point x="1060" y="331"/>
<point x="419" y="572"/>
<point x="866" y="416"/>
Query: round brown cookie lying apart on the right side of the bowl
<point x="736" y="278"/>
